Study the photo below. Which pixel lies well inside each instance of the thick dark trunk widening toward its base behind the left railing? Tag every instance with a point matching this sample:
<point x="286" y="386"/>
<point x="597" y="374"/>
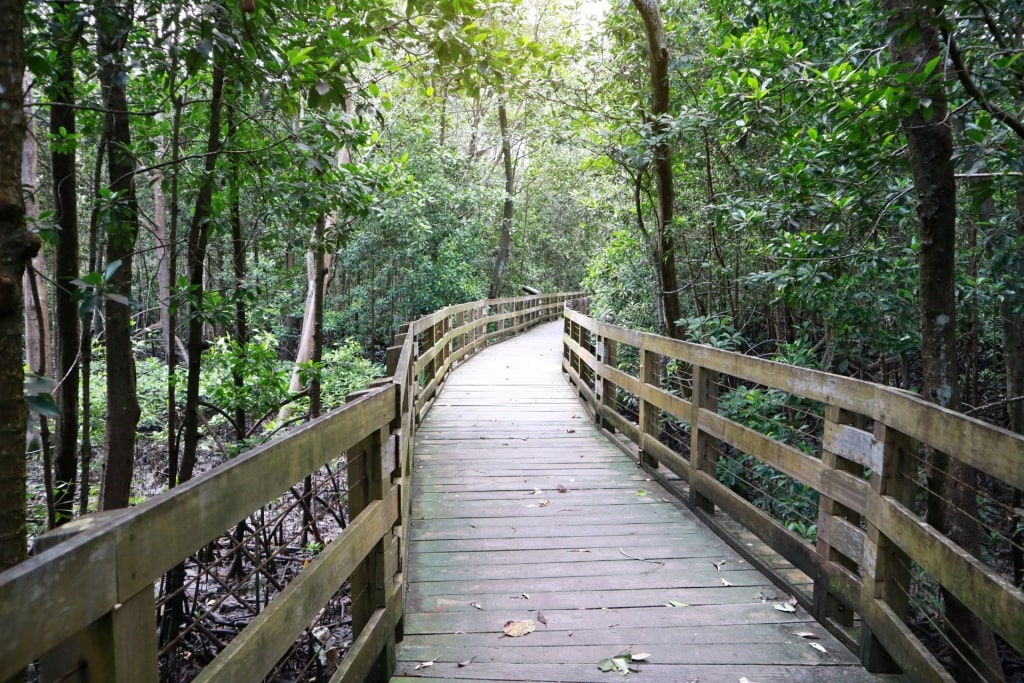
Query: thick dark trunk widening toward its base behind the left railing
<point x="113" y="26"/>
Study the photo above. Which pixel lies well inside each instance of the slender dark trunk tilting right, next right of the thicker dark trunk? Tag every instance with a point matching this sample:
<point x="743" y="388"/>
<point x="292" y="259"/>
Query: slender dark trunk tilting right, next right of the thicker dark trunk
<point x="199" y="234"/>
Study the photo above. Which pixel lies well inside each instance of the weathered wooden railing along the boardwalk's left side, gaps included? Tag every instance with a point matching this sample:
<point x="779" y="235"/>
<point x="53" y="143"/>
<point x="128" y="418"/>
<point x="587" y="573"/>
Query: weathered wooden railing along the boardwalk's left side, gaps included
<point x="88" y="606"/>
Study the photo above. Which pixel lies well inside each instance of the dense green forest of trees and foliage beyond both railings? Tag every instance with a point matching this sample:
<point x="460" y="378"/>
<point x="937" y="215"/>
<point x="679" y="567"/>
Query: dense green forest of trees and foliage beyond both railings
<point x="240" y="203"/>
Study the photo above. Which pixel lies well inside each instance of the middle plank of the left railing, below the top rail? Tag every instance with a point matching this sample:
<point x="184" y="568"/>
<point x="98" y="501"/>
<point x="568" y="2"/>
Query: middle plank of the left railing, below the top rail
<point x="269" y="636"/>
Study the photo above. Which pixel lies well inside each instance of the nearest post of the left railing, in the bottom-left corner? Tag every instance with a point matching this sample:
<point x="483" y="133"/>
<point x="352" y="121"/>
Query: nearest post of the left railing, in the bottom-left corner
<point x="119" y="647"/>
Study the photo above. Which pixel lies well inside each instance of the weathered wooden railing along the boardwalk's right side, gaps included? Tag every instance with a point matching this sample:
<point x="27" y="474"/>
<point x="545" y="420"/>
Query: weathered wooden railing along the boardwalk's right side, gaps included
<point x="859" y="445"/>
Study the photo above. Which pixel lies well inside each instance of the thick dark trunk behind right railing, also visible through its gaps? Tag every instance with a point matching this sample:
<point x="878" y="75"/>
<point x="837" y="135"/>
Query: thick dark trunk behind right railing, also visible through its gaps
<point x="952" y="503"/>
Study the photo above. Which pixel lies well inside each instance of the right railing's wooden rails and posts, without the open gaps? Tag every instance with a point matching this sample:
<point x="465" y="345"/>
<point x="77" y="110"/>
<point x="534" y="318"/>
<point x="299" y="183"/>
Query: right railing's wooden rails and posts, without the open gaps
<point x="873" y="522"/>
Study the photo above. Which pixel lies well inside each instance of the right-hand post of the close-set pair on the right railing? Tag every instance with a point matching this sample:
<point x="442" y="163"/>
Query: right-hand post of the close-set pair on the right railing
<point x="886" y="568"/>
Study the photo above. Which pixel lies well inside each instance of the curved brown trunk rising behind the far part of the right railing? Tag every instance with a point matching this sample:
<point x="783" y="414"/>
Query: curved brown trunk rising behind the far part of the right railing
<point x="663" y="243"/>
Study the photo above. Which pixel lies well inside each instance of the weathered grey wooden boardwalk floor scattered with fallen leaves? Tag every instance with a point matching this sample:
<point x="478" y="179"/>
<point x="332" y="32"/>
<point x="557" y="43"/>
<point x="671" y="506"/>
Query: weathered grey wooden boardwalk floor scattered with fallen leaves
<point x="494" y="540"/>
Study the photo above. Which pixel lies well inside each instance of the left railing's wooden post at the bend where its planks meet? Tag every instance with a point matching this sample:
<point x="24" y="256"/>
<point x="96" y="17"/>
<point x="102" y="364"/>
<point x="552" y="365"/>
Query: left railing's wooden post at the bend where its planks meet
<point x="371" y="465"/>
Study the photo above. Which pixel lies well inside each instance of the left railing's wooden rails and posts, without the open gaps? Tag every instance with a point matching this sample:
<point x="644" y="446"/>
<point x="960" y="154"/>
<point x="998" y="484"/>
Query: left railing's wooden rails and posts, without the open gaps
<point x="101" y="570"/>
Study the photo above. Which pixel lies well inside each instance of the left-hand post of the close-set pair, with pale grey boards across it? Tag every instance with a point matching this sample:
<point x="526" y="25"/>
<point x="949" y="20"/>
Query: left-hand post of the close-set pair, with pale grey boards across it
<point x="832" y="516"/>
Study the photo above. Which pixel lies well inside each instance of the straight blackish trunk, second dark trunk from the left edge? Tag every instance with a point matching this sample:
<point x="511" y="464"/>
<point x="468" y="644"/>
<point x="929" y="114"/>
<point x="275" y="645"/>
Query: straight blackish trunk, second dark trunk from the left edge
<point x="64" y="164"/>
